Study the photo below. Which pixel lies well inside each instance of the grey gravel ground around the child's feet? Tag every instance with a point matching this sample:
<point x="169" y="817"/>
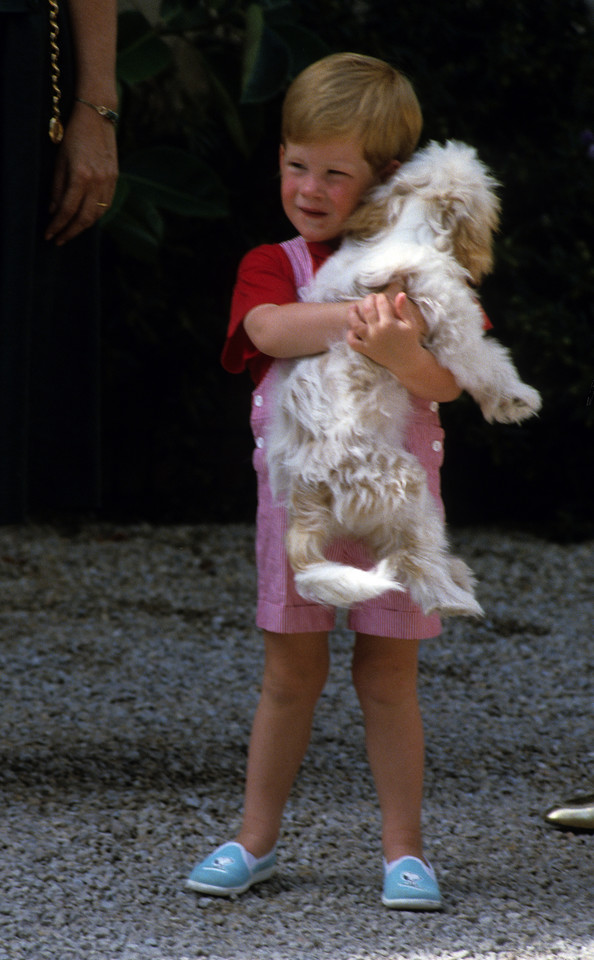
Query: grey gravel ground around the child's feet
<point x="130" y="671"/>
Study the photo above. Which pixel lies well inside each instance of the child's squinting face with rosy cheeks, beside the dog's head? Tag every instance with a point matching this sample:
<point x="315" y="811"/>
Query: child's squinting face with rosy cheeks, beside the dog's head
<point x="321" y="184"/>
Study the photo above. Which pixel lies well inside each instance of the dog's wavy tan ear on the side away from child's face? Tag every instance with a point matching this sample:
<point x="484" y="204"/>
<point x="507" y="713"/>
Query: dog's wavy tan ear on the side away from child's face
<point x="472" y="224"/>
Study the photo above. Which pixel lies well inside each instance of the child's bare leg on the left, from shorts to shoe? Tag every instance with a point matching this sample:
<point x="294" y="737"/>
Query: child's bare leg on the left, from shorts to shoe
<point x="295" y="671"/>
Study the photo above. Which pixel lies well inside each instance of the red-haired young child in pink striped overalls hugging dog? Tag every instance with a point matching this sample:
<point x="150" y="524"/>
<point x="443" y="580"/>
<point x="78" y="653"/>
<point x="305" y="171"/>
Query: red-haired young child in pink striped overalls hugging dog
<point x="348" y="122"/>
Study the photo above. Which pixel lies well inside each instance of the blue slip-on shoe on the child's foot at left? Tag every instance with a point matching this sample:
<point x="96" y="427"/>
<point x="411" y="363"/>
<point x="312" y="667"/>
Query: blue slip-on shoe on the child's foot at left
<point x="230" y="870"/>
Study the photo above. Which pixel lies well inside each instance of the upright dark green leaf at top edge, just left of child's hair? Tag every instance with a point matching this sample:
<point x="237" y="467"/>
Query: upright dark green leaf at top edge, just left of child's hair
<point x="265" y="60"/>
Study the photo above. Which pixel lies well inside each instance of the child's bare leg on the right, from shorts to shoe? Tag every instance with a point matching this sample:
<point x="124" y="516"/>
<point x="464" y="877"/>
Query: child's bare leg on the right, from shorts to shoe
<point x="385" y="677"/>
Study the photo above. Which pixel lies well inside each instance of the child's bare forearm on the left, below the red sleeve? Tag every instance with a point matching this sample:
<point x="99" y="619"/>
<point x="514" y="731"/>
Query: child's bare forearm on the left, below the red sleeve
<point x="296" y="329"/>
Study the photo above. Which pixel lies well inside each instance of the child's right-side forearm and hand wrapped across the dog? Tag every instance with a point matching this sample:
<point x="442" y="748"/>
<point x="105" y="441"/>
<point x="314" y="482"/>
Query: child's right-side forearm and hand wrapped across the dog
<point x="390" y="333"/>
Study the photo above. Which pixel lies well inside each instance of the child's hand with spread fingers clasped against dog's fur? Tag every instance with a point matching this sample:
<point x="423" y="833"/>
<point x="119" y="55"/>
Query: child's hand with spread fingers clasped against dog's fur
<point x="389" y="332"/>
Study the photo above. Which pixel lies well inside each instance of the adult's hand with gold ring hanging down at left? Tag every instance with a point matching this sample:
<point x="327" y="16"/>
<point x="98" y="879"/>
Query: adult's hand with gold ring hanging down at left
<point x="85" y="175"/>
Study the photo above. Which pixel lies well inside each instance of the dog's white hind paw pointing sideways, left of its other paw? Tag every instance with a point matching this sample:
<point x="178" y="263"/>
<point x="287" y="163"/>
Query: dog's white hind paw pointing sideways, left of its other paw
<point x="340" y="585"/>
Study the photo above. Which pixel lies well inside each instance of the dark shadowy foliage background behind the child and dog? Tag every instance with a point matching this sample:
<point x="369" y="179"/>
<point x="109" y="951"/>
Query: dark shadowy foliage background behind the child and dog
<point x="201" y="95"/>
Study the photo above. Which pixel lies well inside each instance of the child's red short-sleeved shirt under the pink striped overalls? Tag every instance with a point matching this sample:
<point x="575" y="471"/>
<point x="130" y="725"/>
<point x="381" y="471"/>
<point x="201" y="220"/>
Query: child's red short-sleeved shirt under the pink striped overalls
<point x="265" y="275"/>
